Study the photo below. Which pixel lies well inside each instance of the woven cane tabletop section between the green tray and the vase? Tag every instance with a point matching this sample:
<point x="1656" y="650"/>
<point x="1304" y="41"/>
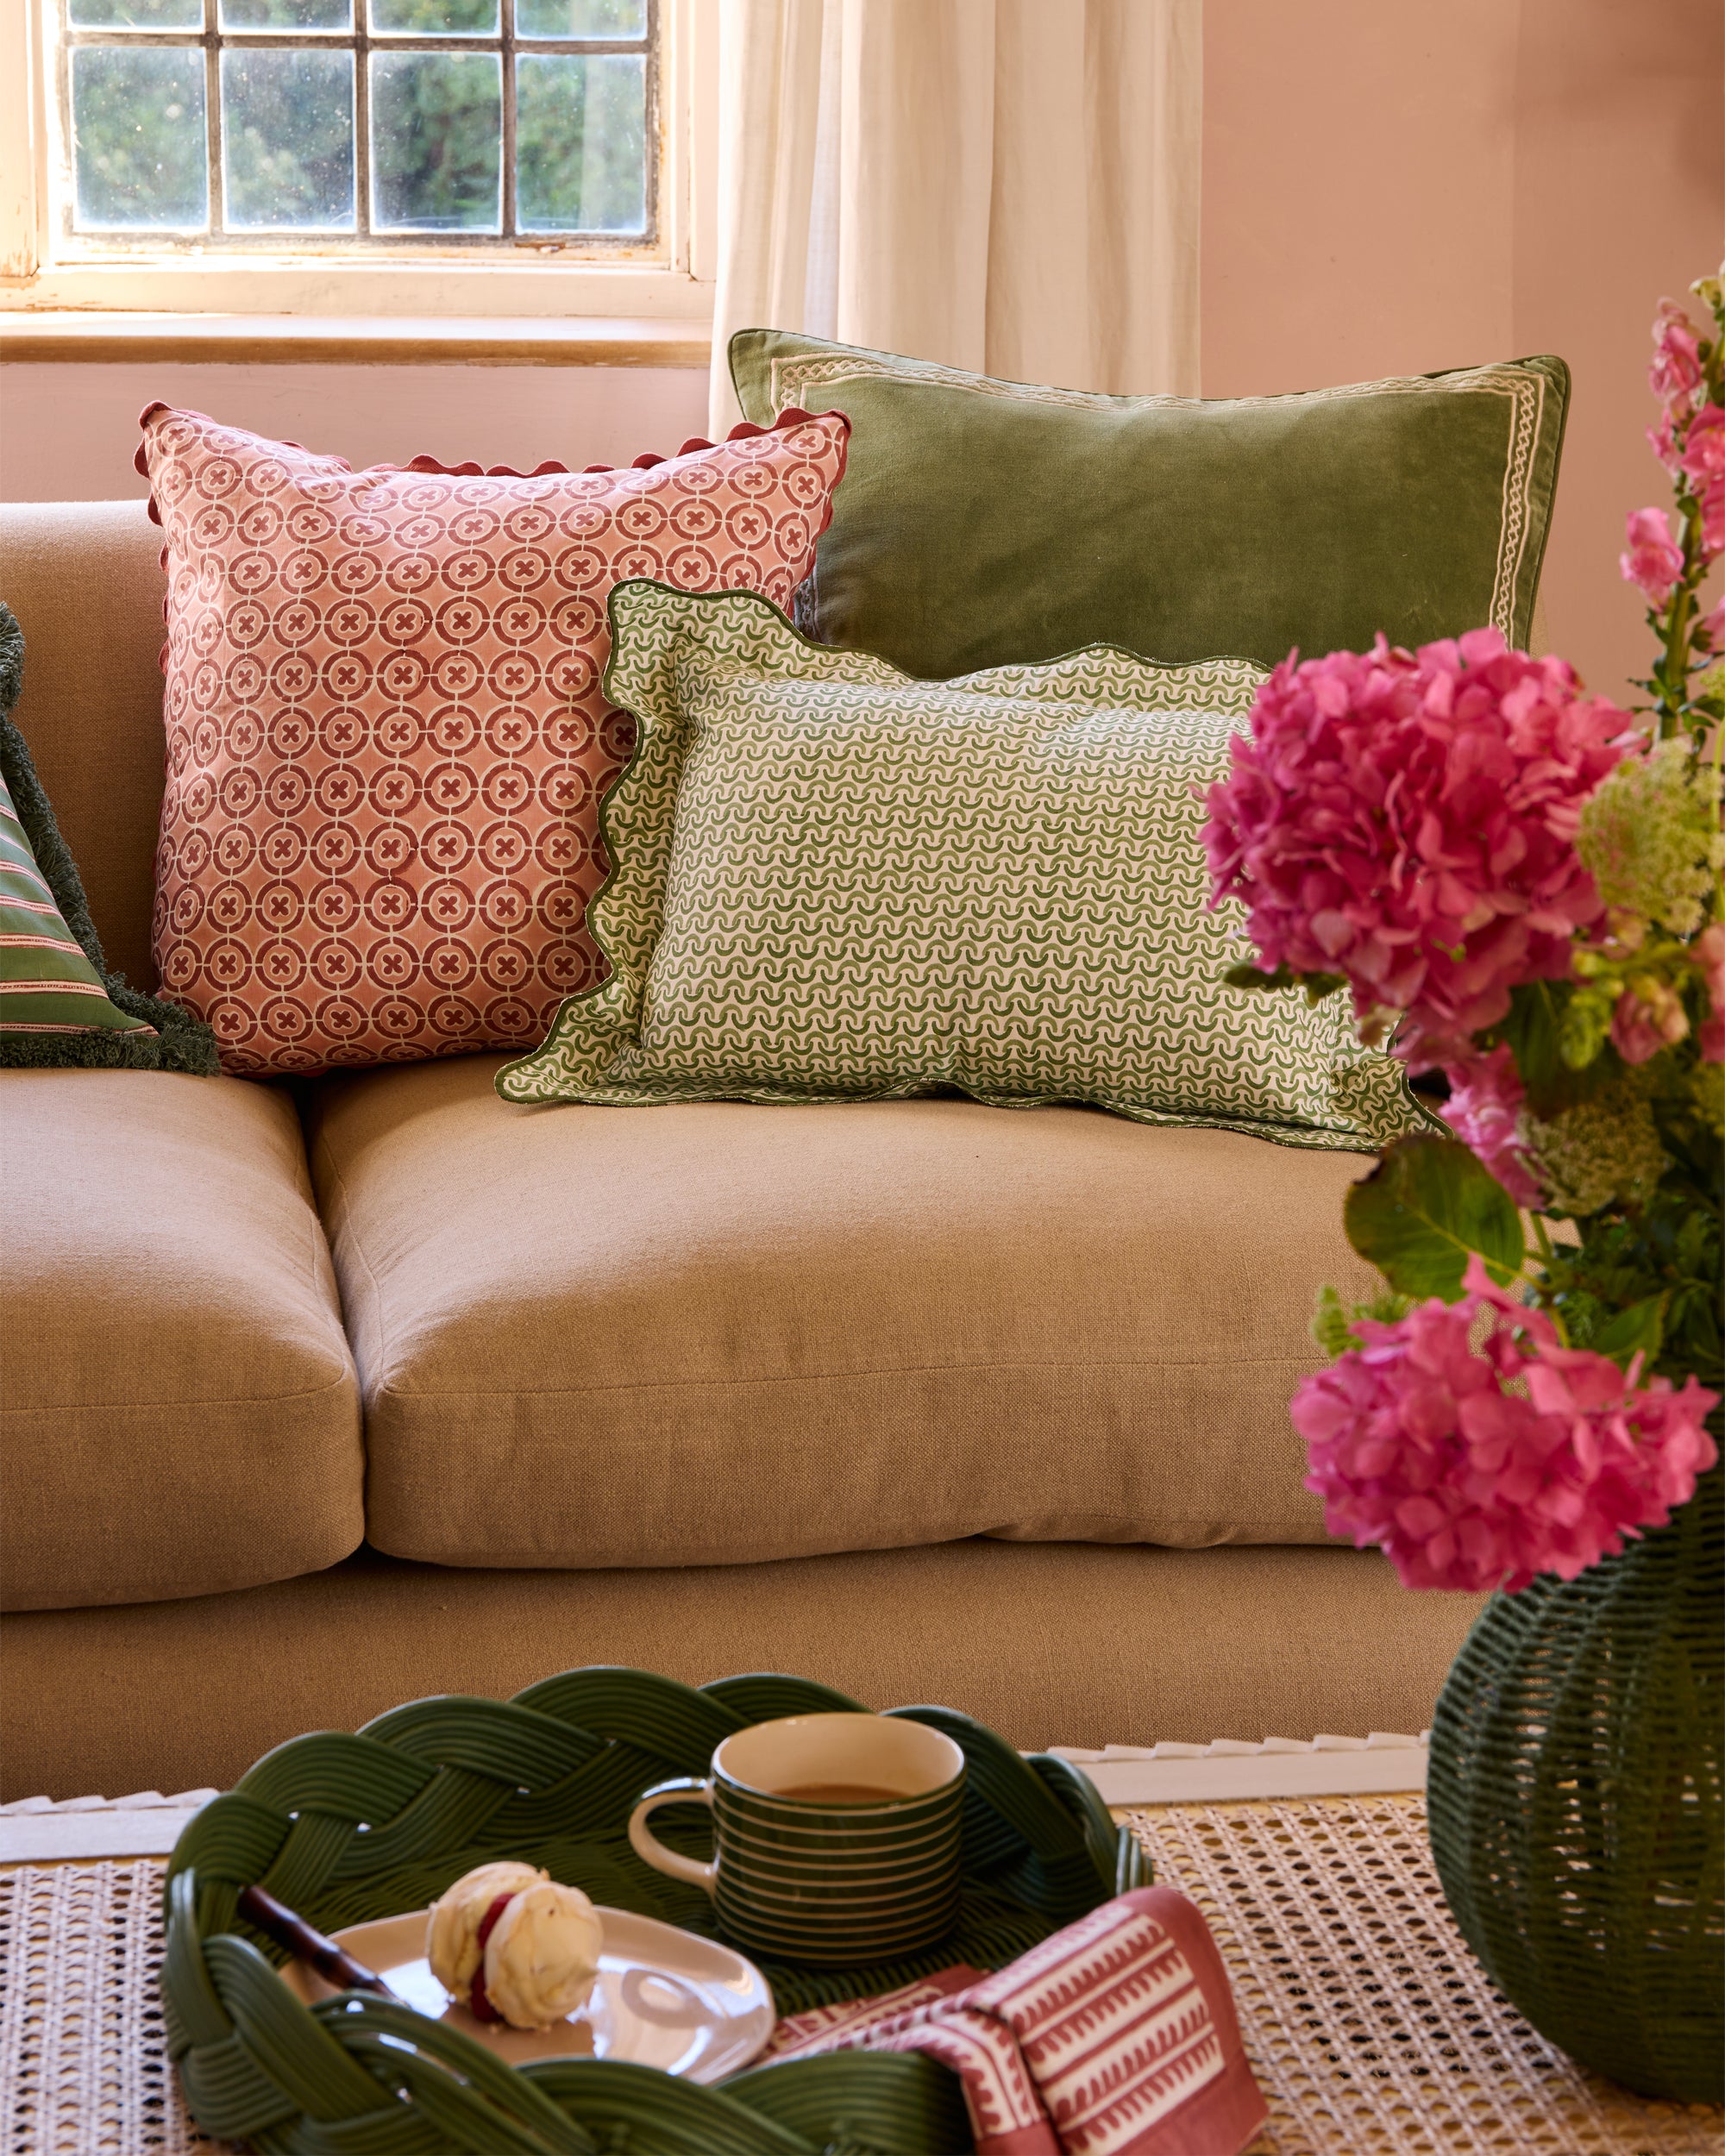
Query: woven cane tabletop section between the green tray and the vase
<point x="1368" y="2021"/>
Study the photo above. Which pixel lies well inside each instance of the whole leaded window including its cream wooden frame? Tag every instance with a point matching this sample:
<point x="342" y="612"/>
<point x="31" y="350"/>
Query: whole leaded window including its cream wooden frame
<point x="355" y="156"/>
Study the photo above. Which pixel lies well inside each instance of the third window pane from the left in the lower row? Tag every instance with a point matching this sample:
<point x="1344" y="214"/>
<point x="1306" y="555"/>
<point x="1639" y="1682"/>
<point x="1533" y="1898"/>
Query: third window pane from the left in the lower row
<point x="437" y="141"/>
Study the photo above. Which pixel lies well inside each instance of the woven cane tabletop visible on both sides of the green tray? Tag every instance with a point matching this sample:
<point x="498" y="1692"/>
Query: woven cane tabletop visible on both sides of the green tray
<point x="1368" y="2023"/>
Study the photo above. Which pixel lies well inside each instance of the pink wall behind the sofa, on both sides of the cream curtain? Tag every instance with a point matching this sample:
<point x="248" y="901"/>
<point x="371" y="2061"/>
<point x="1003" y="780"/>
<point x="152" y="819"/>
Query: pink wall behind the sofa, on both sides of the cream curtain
<point x="1388" y="189"/>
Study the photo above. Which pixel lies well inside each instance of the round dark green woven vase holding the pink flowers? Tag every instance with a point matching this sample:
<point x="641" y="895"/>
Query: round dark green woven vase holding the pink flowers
<point x="1575" y="1801"/>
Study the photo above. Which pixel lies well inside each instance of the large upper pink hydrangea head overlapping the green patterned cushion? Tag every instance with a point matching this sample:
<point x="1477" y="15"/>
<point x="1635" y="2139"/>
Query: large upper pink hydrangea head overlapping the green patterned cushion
<point x="1407" y="820"/>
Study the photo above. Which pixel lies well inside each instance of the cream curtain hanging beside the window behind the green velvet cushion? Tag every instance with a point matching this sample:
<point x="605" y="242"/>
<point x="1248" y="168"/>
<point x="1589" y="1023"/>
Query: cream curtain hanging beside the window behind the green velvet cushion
<point x="997" y="184"/>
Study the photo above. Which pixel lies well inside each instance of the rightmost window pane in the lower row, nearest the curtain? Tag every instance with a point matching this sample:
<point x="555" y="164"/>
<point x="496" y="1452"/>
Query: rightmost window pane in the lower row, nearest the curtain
<point x="581" y="143"/>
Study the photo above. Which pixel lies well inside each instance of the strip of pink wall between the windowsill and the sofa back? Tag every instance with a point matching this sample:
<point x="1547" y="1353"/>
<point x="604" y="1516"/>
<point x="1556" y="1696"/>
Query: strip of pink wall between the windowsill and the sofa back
<point x="70" y="432"/>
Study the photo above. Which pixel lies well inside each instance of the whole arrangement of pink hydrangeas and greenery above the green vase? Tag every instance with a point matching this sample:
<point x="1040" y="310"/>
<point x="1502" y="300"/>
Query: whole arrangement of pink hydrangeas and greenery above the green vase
<point x="1523" y="892"/>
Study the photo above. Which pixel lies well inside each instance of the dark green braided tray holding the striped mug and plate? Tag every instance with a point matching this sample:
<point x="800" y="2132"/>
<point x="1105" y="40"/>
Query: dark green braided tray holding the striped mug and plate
<point x="355" y="1827"/>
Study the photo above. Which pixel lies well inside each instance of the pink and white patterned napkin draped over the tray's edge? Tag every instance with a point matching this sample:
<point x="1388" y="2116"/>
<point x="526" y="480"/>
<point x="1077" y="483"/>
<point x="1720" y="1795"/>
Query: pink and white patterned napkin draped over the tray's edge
<point x="1112" y="2038"/>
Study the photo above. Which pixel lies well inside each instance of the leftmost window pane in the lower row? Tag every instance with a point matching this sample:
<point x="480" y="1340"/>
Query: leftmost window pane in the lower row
<point x="139" y="137"/>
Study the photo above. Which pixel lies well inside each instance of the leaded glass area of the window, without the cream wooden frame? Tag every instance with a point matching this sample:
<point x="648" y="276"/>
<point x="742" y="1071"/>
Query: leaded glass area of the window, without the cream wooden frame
<point x="376" y="122"/>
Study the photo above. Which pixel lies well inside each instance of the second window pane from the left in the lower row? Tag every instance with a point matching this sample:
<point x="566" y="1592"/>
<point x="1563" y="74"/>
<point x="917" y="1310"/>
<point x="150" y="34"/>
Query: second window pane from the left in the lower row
<point x="288" y="141"/>
